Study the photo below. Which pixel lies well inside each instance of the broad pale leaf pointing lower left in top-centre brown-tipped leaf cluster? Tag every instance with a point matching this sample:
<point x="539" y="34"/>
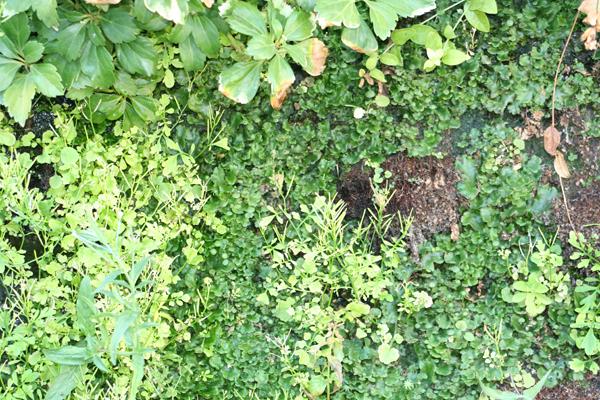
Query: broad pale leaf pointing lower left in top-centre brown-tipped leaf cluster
<point x="240" y="81"/>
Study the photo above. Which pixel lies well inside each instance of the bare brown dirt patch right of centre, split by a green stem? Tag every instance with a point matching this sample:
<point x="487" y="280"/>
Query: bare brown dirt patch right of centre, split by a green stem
<point x="423" y="188"/>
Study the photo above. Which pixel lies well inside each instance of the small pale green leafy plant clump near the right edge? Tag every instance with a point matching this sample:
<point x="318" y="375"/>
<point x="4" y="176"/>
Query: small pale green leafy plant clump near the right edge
<point x="542" y="283"/>
